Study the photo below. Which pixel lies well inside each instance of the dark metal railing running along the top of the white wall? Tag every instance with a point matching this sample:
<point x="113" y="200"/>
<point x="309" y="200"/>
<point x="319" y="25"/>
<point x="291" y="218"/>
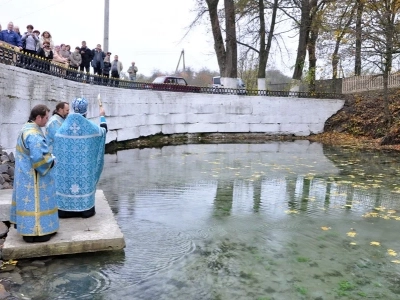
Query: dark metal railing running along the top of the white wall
<point x="11" y="56"/>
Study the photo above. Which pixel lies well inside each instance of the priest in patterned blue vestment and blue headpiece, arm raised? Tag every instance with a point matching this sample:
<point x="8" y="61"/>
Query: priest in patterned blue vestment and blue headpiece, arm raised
<point x="79" y="146"/>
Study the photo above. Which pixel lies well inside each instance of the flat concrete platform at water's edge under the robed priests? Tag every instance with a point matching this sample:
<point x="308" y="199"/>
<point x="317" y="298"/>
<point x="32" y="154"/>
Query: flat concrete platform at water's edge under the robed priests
<point x="76" y="235"/>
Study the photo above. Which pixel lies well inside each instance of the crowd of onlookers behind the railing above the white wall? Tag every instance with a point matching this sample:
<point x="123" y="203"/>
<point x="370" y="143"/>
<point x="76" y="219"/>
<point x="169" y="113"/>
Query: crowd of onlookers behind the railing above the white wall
<point x="82" y="57"/>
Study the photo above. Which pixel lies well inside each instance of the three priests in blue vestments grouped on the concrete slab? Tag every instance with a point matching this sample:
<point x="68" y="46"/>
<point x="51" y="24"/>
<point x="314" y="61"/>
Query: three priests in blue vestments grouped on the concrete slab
<point x="56" y="172"/>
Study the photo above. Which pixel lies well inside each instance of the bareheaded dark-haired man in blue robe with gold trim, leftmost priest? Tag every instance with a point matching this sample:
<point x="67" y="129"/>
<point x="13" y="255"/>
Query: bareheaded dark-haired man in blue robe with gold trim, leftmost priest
<point x="34" y="206"/>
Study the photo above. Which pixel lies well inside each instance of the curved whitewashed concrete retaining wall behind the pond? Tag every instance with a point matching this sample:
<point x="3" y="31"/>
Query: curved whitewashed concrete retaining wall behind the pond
<point x="135" y="113"/>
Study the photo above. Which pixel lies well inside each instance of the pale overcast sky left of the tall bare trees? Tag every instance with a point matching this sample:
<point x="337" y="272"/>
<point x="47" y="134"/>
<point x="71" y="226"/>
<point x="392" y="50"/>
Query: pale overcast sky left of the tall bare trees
<point x="148" y="32"/>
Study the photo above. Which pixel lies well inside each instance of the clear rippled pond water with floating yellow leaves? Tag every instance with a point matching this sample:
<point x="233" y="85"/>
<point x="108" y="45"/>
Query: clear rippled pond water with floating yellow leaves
<point x="280" y="220"/>
